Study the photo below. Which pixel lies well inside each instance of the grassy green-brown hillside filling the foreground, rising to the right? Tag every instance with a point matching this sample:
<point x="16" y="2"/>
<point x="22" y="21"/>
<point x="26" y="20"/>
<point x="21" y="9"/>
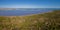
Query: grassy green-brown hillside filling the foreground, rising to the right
<point x="45" y="21"/>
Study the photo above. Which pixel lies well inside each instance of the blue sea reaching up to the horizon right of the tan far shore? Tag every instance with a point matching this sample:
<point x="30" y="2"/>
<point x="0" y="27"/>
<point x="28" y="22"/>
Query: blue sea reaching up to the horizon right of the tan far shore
<point x="26" y="11"/>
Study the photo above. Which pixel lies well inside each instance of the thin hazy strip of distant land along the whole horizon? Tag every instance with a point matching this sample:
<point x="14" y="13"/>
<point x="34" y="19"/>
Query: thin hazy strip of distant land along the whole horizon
<point x="28" y="8"/>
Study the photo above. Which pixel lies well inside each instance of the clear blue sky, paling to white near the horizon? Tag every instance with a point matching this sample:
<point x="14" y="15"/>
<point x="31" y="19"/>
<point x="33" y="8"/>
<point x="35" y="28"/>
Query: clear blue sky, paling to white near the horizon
<point x="29" y="3"/>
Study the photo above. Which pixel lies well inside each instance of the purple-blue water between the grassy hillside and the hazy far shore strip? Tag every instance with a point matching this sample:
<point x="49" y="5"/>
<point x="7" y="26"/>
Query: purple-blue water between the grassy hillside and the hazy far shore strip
<point x="22" y="12"/>
